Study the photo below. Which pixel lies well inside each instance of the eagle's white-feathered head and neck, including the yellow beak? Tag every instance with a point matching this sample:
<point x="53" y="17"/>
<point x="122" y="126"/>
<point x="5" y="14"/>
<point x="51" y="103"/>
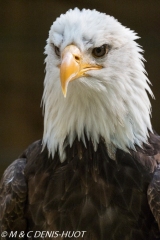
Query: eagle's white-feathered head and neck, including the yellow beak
<point x="95" y="83"/>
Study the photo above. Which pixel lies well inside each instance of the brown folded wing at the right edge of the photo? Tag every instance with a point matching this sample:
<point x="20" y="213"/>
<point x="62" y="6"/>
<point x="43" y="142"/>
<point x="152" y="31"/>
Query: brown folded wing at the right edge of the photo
<point x="149" y="157"/>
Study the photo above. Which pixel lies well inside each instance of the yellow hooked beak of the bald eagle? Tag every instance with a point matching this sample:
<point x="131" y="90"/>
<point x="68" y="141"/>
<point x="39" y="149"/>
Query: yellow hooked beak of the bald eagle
<point x="72" y="66"/>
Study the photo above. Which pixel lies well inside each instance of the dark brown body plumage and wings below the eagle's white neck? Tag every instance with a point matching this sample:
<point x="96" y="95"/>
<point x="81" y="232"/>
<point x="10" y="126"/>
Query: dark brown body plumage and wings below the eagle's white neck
<point x="88" y="192"/>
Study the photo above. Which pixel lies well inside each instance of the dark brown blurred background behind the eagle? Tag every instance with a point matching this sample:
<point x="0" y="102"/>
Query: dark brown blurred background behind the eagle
<point x="24" y="26"/>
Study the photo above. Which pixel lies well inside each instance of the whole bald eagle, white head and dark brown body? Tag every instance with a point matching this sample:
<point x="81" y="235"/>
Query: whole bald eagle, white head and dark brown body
<point x="95" y="174"/>
